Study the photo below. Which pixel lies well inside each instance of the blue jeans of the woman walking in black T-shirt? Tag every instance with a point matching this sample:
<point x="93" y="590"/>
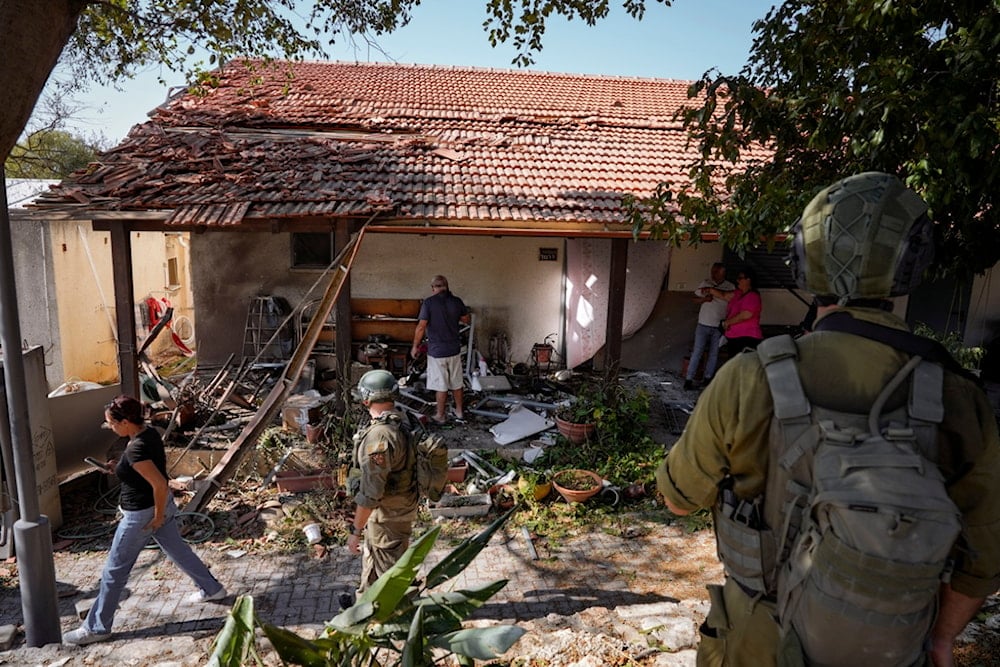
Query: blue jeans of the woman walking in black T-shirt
<point x="130" y="539"/>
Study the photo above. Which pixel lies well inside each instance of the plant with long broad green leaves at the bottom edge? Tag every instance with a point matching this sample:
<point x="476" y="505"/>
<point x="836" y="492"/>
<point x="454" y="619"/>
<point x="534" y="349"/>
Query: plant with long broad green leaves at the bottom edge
<point x="395" y="622"/>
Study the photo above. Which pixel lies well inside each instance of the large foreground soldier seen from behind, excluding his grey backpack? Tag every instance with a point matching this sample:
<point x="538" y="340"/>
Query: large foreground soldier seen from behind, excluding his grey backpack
<point x="859" y="242"/>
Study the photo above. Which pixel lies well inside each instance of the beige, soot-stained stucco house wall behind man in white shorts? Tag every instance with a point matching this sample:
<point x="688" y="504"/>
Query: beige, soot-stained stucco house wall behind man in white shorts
<point x="501" y="279"/>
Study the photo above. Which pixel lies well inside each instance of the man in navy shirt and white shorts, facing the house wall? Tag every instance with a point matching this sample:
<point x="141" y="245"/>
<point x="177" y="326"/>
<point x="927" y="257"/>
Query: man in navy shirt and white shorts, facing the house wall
<point x="440" y="319"/>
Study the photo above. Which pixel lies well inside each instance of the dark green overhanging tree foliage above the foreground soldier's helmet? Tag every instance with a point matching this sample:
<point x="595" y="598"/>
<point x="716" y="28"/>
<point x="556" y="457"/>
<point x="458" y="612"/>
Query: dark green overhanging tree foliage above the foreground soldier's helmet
<point x="836" y="88"/>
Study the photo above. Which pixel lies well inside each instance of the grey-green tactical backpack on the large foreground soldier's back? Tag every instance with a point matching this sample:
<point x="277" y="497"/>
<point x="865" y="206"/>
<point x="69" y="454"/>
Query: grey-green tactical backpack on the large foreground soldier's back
<point x="853" y="534"/>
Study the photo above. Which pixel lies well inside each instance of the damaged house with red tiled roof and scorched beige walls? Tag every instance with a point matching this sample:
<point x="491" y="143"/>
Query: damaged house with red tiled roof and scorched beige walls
<point x="290" y="178"/>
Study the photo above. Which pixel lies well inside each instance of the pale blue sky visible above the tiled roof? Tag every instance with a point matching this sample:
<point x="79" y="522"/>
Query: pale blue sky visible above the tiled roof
<point x="677" y="42"/>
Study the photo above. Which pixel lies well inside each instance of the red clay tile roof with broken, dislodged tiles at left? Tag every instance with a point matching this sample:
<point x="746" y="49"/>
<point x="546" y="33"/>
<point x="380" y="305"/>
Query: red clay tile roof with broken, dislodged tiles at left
<point x="411" y="143"/>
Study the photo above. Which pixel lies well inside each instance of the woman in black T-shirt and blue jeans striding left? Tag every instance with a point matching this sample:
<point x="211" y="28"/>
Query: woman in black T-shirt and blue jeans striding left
<point x="148" y="513"/>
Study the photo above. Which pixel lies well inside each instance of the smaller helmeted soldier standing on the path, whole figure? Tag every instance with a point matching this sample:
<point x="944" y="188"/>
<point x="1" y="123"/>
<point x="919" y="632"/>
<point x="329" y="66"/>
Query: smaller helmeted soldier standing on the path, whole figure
<point x="382" y="481"/>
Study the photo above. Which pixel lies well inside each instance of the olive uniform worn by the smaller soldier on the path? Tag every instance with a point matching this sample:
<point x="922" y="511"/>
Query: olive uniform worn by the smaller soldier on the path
<point x="388" y="486"/>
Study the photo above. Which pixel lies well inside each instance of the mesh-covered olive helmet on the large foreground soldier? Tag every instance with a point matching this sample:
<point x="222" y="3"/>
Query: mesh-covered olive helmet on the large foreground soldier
<point x="867" y="236"/>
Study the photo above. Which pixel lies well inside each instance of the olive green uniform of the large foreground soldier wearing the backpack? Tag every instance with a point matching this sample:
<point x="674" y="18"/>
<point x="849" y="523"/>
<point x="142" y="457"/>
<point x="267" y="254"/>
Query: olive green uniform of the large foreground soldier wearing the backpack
<point x="727" y="436"/>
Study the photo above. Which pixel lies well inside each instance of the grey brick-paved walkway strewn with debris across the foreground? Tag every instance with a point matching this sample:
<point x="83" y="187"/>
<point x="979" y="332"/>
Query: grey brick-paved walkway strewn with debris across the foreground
<point x="299" y="591"/>
